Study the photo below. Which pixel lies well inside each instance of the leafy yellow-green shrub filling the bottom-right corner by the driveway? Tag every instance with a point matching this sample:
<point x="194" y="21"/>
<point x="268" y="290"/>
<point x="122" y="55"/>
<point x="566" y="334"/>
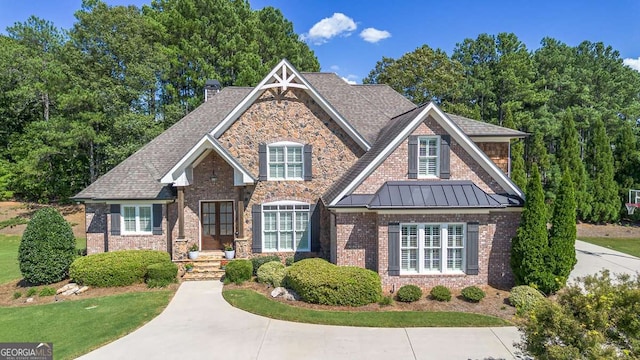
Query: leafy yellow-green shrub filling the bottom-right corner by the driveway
<point x="596" y="318"/>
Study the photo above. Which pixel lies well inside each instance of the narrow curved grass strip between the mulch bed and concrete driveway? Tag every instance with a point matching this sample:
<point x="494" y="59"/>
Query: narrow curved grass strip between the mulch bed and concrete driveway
<point x="258" y="304"/>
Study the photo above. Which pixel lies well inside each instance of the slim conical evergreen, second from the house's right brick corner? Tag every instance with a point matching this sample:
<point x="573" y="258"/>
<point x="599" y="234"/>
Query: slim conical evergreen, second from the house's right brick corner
<point x="562" y="236"/>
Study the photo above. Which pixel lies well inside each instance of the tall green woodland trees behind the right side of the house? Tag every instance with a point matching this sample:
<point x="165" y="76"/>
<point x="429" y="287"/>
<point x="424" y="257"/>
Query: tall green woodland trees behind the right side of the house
<point x="580" y="105"/>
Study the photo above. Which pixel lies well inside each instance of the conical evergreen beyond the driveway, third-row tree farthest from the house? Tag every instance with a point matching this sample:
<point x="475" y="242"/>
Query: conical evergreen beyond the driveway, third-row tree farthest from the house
<point x="606" y="204"/>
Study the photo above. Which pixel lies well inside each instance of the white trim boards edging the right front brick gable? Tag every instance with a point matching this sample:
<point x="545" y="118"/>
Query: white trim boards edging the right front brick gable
<point x="456" y="133"/>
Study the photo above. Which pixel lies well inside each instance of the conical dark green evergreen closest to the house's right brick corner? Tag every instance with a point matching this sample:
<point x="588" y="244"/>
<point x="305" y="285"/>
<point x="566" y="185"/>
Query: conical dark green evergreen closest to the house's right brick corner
<point x="530" y="245"/>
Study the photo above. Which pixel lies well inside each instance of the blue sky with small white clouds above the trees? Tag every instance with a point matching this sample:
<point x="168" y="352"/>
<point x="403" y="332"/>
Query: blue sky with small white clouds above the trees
<point x="349" y="37"/>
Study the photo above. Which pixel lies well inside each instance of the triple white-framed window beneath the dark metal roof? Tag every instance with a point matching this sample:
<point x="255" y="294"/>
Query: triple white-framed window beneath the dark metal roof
<point x="432" y="248"/>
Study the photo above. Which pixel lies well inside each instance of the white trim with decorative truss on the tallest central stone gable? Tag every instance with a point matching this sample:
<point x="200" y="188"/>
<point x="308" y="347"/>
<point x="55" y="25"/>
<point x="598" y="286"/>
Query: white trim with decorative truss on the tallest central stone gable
<point x="272" y="80"/>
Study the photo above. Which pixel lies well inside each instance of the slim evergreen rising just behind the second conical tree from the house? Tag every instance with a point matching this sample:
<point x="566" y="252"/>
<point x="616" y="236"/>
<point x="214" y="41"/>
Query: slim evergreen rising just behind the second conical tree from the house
<point x="568" y="157"/>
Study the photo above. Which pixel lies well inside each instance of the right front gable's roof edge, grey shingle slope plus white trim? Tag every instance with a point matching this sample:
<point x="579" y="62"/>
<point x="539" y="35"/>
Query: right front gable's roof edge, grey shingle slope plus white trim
<point x="397" y="131"/>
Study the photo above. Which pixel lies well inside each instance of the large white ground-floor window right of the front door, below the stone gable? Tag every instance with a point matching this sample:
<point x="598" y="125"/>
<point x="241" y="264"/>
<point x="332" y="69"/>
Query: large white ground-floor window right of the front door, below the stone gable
<point x="285" y="227"/>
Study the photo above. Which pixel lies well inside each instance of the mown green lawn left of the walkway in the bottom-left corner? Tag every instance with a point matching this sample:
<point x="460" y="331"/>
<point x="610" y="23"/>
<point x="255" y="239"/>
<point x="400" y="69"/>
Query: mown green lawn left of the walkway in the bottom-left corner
<point x="77" y="327"/>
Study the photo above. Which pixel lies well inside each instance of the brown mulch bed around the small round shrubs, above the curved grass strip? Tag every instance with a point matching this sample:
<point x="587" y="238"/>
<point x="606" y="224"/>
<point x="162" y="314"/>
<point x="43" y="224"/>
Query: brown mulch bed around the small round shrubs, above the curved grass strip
<point x="496" y="303"/>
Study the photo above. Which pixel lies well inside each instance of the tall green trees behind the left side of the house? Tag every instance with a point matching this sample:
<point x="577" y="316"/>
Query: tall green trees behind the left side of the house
<point x="74" y="103"/>
